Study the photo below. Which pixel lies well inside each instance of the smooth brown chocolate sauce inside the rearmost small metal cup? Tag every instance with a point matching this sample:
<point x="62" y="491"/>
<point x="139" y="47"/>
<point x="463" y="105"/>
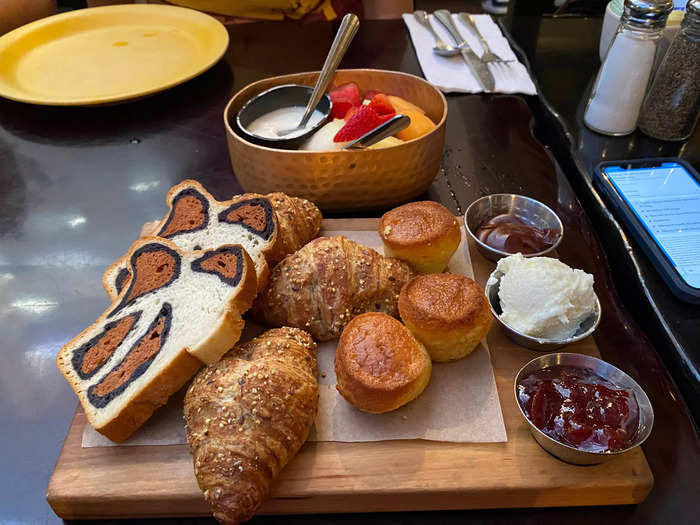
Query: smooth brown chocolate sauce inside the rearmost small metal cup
<point x="510" y="233"/>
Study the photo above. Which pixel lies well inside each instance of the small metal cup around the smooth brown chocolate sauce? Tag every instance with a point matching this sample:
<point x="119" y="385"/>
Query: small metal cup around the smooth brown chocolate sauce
<point x="530" y="210"/>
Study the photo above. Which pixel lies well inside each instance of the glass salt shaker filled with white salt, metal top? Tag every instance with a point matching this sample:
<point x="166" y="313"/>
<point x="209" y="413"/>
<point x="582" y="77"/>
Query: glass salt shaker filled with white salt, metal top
<point x="618" y="92"/>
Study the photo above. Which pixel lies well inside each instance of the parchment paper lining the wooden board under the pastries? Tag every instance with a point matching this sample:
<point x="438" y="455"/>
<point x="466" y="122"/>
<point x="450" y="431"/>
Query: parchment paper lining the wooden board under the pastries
<point x="460" y="404"/>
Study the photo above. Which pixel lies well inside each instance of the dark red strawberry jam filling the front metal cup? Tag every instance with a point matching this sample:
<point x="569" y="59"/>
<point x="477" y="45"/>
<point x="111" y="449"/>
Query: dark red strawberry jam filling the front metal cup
<point x="579" y="408"/>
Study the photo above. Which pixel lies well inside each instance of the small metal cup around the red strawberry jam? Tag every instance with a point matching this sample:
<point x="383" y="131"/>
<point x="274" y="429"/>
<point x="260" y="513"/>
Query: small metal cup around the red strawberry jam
<point x="608" y="372"/>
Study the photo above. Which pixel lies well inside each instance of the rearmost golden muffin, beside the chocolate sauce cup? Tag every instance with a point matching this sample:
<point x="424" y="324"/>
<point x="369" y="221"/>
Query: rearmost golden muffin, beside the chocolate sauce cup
<point x="424" y="234"/>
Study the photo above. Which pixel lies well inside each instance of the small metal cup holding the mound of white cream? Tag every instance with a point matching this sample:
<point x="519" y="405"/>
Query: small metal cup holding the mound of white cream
<point x="586" y="328"/>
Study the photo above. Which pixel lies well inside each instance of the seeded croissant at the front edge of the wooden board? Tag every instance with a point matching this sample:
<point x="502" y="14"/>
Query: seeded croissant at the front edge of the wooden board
<point x="247" y="416"/>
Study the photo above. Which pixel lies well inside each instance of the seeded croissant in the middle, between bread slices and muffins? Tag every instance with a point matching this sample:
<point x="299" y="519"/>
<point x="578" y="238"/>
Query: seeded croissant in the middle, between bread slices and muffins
<point x="321" y="287"/>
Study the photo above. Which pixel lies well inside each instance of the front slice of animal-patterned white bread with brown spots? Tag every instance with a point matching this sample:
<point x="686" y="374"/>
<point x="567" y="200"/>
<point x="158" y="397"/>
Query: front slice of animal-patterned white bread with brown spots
<point x="178" y="311"/>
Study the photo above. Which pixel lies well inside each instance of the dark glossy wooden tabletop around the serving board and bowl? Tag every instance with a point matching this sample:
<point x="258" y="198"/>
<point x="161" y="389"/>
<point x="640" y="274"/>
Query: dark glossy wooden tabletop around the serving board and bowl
<point x="78" y="183"/>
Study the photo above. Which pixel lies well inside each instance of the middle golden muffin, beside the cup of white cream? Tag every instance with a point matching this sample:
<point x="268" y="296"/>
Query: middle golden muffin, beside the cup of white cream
<point x="448" y="313"/>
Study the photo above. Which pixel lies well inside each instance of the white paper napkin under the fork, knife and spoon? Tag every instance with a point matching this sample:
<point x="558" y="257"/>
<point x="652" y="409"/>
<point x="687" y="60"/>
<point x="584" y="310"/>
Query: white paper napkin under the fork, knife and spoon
<point x="451" y="74"/>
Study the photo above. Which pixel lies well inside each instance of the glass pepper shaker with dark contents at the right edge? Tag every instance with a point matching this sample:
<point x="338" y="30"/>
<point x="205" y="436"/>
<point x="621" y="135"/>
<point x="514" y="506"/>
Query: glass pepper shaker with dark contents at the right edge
<point x="670" y="110"/>
